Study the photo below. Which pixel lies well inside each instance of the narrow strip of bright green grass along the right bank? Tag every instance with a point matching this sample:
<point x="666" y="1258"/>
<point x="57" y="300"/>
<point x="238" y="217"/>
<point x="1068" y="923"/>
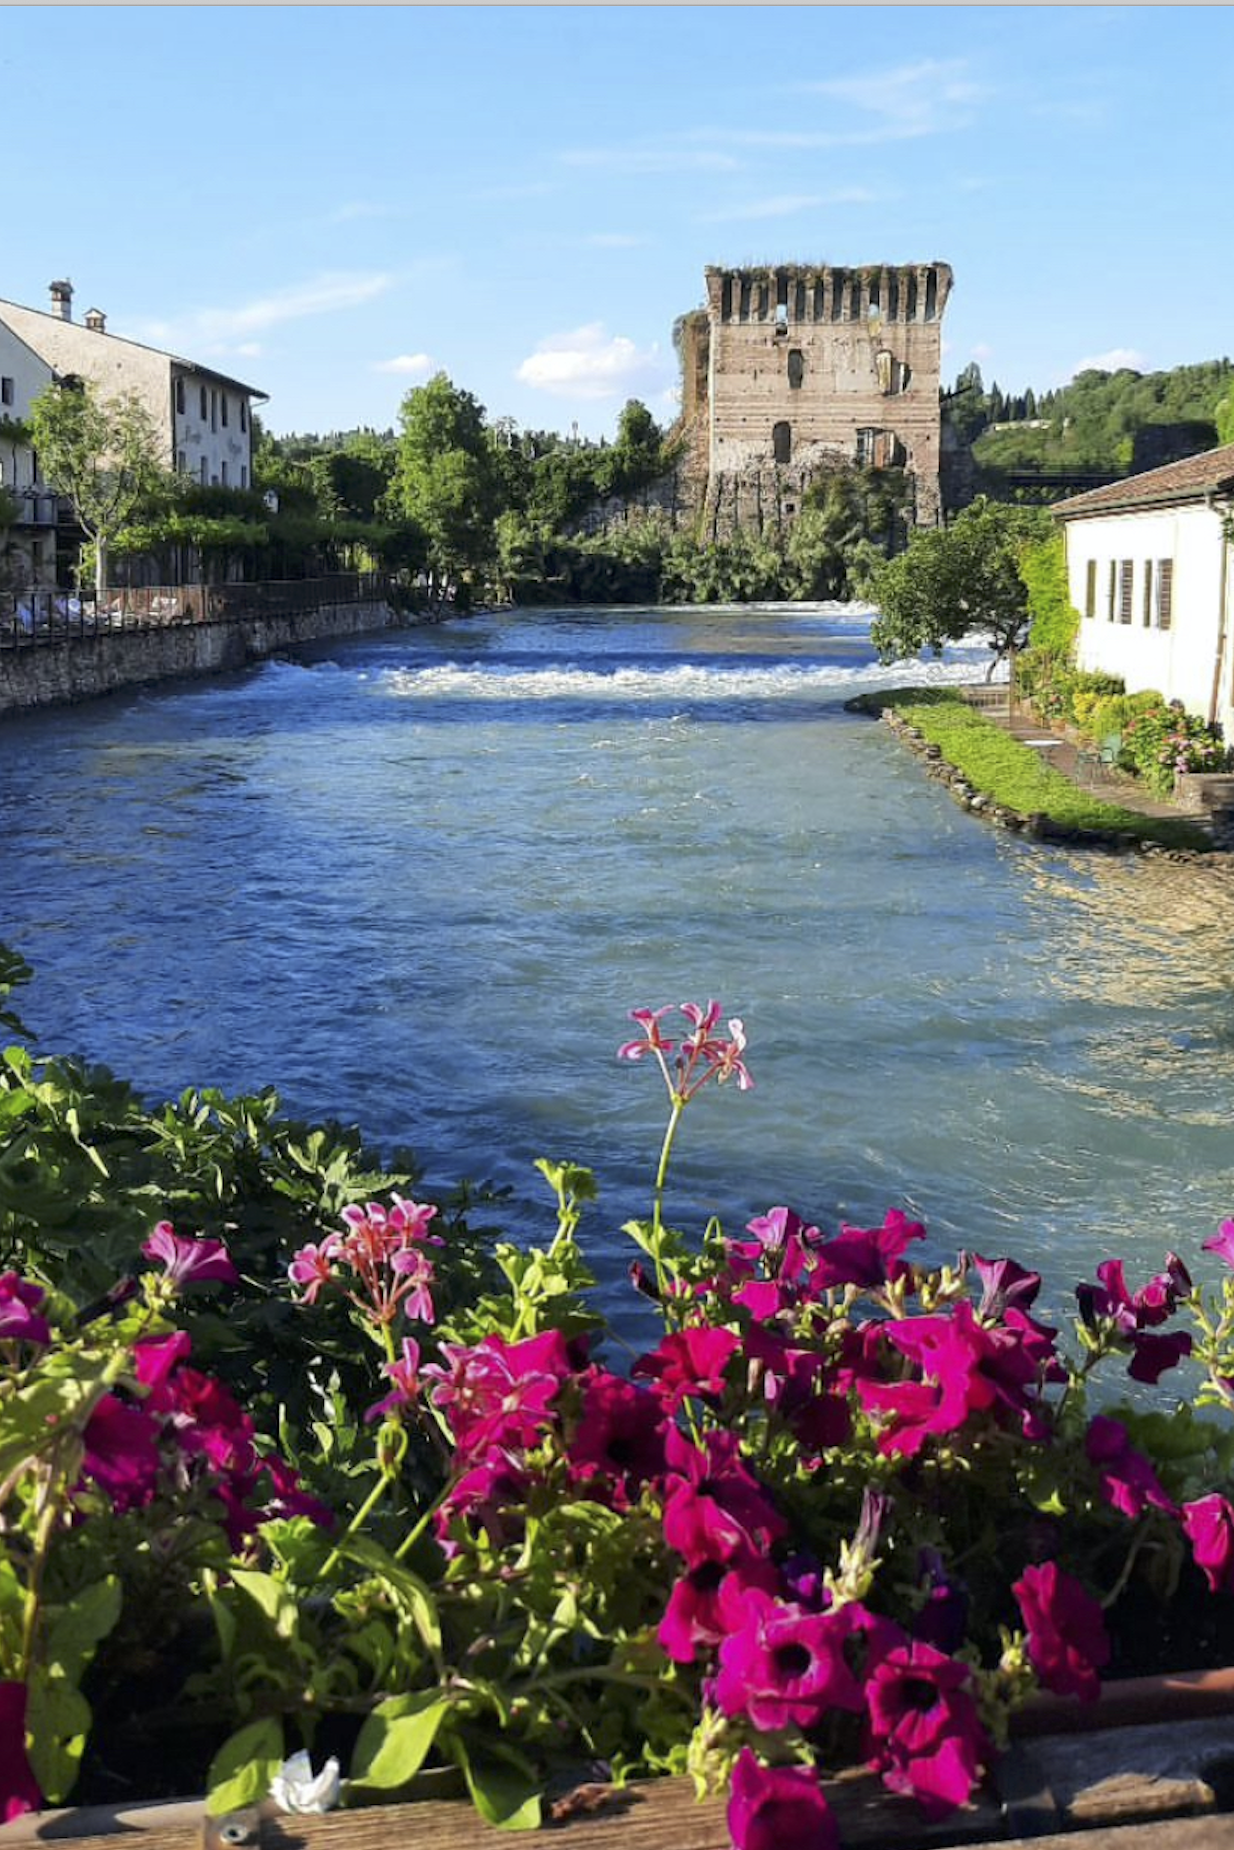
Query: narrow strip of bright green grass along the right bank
<point x="1017" y="778"/>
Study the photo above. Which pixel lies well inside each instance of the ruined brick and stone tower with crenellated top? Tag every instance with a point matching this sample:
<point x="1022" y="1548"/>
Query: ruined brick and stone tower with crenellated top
<point x="798" y="369"/>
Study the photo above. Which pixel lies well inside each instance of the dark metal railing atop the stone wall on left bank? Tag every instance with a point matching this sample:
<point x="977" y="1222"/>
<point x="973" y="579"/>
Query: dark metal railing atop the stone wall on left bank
<point x="51" y="617"/>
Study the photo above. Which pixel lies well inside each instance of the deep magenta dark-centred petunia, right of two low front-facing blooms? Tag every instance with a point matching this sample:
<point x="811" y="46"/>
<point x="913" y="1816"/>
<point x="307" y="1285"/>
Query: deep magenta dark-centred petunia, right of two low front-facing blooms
<point x="926" y="1736"/>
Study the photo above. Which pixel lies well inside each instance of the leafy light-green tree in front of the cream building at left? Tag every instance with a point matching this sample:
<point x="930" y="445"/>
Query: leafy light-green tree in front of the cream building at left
<point x="103" y="454"/>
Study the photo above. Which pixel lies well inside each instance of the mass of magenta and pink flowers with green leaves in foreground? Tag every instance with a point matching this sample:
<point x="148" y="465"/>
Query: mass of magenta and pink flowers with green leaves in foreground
<point x="852" y="1509"/>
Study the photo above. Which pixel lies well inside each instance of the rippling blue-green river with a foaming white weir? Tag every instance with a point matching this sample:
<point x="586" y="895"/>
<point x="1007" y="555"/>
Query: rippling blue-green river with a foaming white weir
<point x="417" y="882"/>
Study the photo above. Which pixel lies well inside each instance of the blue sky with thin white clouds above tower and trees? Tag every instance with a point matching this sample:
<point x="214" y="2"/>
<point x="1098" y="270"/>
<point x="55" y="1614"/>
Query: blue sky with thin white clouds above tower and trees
<point x="336" y="203"/>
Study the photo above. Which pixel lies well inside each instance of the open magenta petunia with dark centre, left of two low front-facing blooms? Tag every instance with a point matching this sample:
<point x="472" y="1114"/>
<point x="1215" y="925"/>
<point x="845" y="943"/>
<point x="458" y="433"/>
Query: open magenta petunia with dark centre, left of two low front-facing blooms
<point x="785" y="1668"/>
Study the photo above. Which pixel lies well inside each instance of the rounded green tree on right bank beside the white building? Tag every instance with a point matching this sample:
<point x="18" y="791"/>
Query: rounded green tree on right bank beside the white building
<point x="956" y="582"/>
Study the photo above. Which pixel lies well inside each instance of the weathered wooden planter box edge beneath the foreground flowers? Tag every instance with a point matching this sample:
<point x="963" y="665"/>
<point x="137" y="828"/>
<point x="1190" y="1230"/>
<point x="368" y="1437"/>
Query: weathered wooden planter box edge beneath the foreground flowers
<point x="1150" y="1786"/>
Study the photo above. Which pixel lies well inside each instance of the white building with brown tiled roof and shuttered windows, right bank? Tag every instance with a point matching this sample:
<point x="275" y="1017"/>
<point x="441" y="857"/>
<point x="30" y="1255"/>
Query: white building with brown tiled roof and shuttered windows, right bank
<point x="1152" y="573"/>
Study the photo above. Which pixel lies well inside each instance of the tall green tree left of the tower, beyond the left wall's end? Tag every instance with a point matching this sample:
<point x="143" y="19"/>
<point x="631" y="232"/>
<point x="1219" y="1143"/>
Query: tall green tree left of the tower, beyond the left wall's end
<point x="447" y="480"/>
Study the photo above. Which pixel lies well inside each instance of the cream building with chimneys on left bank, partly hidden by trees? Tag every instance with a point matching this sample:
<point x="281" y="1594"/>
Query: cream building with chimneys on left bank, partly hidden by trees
<point x="203" y="417"/>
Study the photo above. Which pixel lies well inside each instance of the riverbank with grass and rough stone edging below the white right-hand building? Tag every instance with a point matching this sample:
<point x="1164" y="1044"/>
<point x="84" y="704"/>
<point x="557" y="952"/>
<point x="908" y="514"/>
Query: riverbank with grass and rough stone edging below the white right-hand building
<point x="1009" y="771"/>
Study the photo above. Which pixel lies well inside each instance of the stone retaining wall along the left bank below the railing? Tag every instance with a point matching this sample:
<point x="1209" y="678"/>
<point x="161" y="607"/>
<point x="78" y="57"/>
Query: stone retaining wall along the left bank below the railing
<point x="58" y="674"/>
